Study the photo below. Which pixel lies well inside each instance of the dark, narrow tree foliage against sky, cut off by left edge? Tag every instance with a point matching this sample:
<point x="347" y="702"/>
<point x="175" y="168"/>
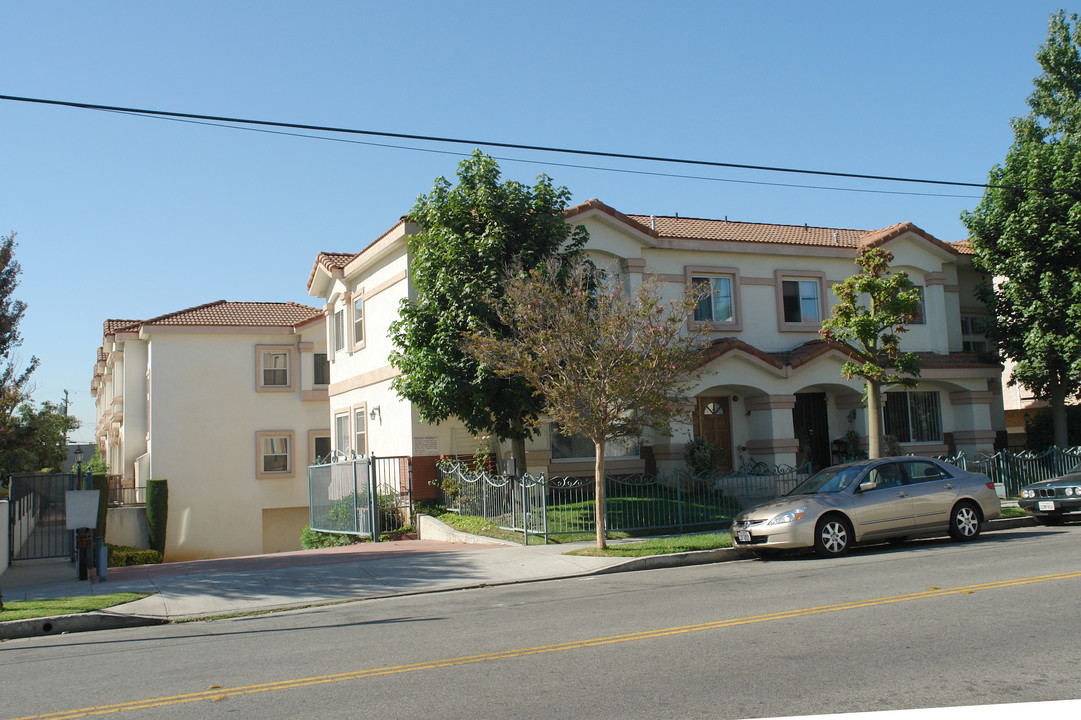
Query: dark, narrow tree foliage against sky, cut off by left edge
<point x="15" y="383"/>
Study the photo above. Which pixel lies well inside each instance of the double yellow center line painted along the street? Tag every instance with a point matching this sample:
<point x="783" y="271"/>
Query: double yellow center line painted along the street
<point x="220" y="694"/>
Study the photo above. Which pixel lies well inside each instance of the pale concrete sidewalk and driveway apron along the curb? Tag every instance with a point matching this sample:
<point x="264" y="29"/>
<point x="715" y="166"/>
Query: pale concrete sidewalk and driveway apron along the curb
<point x="204" y="589"/>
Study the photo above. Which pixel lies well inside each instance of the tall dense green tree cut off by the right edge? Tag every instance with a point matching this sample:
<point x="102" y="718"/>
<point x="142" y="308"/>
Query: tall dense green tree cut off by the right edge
<point x="1026" y="232"/>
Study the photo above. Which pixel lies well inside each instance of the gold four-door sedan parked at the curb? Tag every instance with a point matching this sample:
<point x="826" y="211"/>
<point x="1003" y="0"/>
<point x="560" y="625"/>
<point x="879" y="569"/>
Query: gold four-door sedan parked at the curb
<point x="891" y="499"/>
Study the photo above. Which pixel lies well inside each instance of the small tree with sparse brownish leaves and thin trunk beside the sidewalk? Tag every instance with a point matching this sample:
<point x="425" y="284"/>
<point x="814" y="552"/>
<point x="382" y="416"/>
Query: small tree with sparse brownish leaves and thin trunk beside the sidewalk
<point x="607" y="364"/>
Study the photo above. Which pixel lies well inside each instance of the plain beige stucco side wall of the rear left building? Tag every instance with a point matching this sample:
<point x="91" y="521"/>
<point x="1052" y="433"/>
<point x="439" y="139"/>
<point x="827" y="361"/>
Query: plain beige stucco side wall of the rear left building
<point x="205" y="414"/>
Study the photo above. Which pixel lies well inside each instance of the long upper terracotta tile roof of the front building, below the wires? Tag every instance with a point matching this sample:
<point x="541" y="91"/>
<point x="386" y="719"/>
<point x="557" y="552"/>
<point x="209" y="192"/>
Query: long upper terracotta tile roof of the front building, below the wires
<point x="698" y="229"/>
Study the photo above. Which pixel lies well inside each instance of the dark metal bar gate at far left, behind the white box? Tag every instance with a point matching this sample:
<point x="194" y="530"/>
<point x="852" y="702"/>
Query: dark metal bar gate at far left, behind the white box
<point x="38" y="523"/>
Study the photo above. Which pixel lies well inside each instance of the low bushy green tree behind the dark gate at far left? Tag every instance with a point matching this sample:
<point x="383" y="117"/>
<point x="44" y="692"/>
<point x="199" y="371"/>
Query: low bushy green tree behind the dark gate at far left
<point x="35" y="438"/>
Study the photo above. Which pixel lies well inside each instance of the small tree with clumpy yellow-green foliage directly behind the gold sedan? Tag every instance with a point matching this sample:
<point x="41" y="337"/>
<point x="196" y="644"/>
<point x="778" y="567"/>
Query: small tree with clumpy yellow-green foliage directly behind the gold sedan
<point x="873" y="310"/>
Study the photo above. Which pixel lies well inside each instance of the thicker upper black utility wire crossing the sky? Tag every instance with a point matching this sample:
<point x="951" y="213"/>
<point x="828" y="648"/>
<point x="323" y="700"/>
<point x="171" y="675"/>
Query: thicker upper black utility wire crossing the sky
<point x="540" y="149"/>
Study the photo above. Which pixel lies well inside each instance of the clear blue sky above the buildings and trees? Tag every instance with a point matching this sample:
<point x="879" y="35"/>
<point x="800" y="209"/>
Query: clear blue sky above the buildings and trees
<point x="124" y="217"/>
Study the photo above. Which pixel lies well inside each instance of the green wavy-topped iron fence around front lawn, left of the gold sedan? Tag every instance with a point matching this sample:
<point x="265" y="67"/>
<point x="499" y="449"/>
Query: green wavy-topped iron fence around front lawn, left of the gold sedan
<point x="673" y="503"/>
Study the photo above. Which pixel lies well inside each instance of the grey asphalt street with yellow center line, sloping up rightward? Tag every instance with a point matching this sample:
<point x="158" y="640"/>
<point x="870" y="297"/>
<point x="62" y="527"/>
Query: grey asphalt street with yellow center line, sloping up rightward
<point x="931" y="624"/>
